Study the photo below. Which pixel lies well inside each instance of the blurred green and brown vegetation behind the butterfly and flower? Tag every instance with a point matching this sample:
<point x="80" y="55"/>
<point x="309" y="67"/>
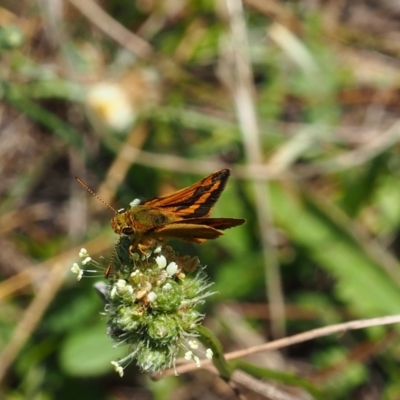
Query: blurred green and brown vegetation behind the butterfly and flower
<point x="139" y="98"/>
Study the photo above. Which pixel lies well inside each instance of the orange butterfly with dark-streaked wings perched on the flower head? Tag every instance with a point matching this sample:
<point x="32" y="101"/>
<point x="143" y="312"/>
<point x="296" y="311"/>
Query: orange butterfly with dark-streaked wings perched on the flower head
<point x="183" y="215"/>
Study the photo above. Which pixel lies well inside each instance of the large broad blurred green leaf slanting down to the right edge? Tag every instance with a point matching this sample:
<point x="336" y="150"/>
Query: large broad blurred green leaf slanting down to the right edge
<point x="330" y="239"/>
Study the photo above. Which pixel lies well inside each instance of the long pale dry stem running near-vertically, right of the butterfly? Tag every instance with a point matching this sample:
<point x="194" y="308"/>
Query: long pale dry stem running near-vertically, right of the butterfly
<point x="241" y="83"/>
